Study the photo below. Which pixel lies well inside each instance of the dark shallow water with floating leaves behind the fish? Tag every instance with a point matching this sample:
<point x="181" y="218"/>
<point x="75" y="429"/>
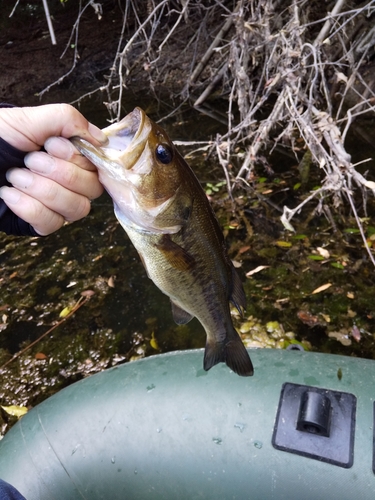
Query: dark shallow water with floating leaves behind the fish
<point x="128" y="317"/>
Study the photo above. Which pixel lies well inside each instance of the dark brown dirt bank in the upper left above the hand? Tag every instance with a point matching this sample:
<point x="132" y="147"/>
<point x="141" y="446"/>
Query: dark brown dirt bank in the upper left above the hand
<point x="30" y="62"/>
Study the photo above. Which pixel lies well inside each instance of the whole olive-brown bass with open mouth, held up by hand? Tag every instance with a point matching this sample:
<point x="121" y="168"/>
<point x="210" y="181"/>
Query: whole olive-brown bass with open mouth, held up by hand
<point x="161" y="205"/>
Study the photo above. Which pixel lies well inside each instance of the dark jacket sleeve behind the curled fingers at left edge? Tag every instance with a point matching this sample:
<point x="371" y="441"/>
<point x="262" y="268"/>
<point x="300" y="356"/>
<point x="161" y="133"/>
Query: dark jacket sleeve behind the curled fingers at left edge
<point x="9" y="222"/>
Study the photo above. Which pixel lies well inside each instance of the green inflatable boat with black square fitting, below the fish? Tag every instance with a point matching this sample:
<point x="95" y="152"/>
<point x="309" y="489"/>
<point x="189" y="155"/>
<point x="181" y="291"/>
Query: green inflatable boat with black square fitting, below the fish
<point x="162" y="428"/>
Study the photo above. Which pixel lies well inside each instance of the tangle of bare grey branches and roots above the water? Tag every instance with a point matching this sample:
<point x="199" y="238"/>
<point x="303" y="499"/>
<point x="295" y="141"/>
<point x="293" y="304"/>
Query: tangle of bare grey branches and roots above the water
<point x="290" y="74"/>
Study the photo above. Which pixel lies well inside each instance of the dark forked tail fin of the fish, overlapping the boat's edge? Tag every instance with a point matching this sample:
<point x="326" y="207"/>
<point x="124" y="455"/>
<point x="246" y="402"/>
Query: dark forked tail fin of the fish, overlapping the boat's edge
<point x="232" y="352"/>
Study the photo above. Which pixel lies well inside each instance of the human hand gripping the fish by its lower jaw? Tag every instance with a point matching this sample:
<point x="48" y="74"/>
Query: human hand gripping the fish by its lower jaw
<point x="59" y="184"/>
